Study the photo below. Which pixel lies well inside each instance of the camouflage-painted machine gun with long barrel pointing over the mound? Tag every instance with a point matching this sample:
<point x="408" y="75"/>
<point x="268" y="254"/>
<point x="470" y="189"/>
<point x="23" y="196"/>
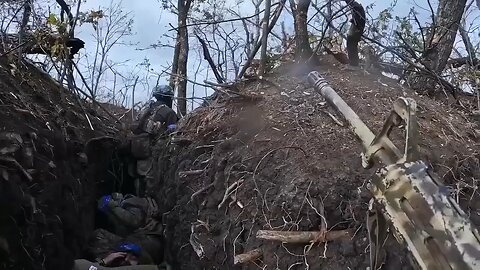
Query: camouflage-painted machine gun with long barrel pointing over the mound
<point x="418" y="207"/>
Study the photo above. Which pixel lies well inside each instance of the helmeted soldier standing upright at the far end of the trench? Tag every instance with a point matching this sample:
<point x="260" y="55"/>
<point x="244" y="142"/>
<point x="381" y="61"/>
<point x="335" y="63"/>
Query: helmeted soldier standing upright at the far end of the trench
<point x="156" y="121"/>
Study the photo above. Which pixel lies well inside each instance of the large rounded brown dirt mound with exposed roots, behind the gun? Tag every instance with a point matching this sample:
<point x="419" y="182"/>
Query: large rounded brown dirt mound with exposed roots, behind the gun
<point x="278" y="158"/>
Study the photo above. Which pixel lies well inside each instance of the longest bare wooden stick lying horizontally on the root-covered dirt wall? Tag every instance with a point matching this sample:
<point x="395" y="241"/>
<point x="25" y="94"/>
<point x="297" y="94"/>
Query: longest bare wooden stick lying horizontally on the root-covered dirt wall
<point x="302" y="237"/>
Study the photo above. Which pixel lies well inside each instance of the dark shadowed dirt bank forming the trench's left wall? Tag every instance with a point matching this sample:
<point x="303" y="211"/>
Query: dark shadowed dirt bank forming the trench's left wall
<point x="47" y="190"/>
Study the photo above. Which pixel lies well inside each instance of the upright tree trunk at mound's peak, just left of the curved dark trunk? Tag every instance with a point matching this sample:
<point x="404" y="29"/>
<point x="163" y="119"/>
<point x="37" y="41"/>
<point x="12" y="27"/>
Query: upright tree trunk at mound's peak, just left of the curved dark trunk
<point x="303" y="51"/>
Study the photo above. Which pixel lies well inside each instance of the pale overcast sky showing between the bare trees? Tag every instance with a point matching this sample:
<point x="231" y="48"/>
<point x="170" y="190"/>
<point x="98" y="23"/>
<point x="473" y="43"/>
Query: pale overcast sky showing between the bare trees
<point x="151" y="22"/>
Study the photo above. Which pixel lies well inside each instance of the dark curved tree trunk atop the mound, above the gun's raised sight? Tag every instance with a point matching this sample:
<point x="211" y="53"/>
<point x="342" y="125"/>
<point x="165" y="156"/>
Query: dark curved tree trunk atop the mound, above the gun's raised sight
<point x="355" y="32"/>
